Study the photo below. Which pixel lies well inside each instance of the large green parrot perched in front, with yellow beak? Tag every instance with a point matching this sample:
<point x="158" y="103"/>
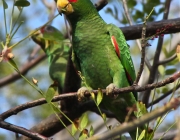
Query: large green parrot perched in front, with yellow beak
<point x="101" y="54"/>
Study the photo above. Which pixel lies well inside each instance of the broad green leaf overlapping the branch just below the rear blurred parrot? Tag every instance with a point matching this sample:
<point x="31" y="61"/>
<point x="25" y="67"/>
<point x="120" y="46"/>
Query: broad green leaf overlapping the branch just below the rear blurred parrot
<point x="50" y="93"/>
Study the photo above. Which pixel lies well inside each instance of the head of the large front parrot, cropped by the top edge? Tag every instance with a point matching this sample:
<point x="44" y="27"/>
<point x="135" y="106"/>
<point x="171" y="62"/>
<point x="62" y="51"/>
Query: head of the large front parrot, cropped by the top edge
<point x="75" y="7"/>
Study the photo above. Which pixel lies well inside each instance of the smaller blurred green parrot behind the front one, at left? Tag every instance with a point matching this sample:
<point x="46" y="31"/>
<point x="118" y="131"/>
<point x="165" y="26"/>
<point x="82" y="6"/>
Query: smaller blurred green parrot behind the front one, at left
<point x="54" y="45"/>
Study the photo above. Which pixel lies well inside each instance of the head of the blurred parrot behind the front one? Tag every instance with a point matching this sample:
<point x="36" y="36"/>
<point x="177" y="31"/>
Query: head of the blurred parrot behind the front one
<point x="46" y="36"/>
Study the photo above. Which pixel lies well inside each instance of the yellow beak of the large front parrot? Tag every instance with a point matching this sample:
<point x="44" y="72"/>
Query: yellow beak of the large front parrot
<point x="64" y="7"/>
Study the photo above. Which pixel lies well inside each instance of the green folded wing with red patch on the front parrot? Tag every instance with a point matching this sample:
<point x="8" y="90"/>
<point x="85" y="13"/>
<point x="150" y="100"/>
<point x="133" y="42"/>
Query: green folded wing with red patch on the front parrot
<point x="122" y="50"/>
